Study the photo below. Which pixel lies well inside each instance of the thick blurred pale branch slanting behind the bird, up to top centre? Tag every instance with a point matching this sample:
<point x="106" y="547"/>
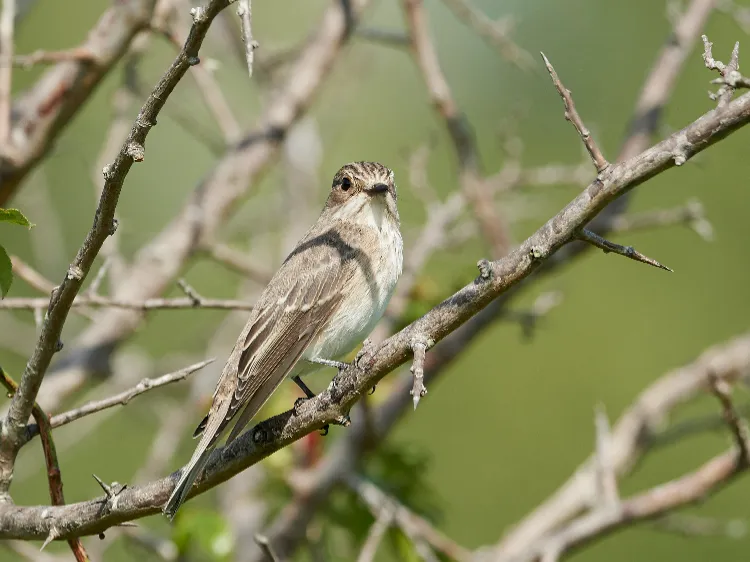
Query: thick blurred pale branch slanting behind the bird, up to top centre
<point x="158" y="263"/>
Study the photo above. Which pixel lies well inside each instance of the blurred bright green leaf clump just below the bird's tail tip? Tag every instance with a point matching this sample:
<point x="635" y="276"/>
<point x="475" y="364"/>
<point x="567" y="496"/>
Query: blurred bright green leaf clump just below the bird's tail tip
<point x="203" y="532"/>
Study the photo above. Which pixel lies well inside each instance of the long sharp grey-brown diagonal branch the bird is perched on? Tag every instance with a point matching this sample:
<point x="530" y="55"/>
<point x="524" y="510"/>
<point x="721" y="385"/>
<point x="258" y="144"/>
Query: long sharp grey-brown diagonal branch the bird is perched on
<point x="351" y="383"/>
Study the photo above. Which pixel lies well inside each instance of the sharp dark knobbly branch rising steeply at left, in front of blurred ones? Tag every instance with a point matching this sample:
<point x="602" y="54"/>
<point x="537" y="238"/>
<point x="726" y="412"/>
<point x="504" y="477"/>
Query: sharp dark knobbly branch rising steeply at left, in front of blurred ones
<point x="62" y="299"/>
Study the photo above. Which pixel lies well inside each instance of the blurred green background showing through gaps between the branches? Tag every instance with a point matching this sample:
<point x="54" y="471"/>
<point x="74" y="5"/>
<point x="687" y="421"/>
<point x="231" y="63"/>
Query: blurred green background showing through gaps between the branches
<point x="511" y="419"/>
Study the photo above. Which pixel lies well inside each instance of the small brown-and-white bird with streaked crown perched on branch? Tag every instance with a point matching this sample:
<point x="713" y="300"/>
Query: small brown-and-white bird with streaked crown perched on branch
<point x="325" y="299"/>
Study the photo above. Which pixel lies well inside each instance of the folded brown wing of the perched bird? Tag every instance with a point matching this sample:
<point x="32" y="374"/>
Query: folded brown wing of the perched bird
<point x="281" y="331"/>
